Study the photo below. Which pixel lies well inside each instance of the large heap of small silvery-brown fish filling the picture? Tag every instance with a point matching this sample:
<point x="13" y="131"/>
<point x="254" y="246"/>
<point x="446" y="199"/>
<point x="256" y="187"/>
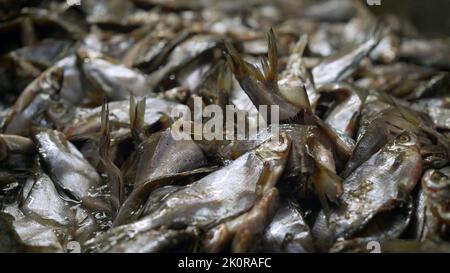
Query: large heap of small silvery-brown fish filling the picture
<point x="89" y="161"/>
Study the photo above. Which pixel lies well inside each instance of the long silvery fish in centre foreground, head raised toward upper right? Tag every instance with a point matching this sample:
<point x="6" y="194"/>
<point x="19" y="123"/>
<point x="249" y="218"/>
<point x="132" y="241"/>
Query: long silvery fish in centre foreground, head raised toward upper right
<point x="248" y="176"/>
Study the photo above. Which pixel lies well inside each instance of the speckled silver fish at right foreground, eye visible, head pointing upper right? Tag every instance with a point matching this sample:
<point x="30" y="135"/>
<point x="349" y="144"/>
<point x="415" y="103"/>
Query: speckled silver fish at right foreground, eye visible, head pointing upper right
<point x="365" y="193"/>
